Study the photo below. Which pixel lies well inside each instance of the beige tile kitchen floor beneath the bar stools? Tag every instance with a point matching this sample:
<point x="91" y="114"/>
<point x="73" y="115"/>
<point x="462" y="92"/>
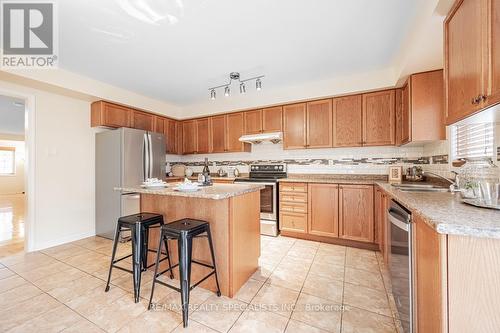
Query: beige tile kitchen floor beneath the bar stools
<point x="301" y="286"/>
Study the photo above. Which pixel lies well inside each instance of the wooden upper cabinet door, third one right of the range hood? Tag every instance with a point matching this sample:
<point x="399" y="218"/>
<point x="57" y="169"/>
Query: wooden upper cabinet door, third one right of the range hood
<point x="347" y="121"/>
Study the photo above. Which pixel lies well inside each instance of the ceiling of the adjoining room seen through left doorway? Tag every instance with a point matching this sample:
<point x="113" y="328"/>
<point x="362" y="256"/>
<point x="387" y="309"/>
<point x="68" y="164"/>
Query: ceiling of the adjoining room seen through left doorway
<point x="11" y="116"/>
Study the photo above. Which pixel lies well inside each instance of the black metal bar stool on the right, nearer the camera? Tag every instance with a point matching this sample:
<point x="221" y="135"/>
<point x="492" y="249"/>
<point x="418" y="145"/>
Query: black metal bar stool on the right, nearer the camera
<point x="184" y="231"/>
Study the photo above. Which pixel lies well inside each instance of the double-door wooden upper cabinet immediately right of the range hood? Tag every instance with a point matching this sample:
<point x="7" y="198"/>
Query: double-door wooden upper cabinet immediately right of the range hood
<point x="308" y="125"/>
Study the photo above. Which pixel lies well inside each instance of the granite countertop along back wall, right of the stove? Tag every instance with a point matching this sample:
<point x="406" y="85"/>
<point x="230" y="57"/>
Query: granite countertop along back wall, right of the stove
<point x="334" y="178"/>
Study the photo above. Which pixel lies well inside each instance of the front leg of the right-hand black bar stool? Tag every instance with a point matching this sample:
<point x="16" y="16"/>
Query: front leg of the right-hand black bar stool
<point x="185" y="252"/>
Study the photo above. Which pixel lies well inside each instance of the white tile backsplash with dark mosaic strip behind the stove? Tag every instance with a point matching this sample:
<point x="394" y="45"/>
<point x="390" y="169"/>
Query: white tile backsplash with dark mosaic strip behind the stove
<point x="359" y="160"/>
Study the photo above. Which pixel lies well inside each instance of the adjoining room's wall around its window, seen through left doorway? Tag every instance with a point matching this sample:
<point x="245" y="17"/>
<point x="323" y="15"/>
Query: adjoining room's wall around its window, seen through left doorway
<point x="13" y="184"/>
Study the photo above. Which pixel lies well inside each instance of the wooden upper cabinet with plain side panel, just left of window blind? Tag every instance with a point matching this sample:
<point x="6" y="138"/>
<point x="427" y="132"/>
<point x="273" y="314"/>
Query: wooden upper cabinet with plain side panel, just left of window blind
<point x="420" y="112"/>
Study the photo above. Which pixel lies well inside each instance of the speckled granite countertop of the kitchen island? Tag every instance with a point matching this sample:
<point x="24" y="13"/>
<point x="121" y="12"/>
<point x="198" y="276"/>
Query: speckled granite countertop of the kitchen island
<point x="215" y="192"/>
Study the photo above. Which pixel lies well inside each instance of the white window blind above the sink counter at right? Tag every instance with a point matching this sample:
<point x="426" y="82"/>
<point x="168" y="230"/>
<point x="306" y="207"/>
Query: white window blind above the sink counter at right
<point x="474" y="140"/>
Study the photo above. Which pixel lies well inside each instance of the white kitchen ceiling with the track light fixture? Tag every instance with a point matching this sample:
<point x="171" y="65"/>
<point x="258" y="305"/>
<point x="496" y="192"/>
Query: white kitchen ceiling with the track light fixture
<point x="174" y="50"/>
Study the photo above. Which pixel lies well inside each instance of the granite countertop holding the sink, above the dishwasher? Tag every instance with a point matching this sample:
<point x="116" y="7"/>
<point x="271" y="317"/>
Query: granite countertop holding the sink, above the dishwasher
<point x="445" y="212"/>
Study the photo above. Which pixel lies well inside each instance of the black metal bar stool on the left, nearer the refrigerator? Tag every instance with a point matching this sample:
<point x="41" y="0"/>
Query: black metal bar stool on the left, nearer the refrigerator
<point x="139" y="225"/>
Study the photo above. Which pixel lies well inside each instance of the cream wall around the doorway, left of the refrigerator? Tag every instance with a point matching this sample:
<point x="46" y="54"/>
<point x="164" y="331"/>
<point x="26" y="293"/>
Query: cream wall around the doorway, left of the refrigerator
<point x="64" y="170"/>
